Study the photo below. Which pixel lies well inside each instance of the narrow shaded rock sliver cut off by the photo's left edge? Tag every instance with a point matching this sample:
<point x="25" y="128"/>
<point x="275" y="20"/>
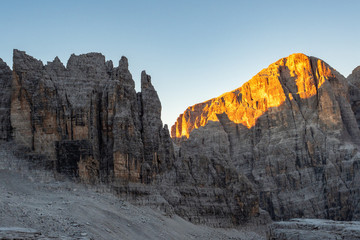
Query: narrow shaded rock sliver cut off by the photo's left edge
<point x="5" y="98"/>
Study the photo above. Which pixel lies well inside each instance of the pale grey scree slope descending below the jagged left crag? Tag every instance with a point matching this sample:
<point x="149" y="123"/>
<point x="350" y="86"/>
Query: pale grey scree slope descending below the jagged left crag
<point x="34" y="205"/>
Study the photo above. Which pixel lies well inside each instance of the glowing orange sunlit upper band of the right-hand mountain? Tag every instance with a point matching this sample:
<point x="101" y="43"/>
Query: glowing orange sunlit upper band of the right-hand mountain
<point x="265" y="90"/>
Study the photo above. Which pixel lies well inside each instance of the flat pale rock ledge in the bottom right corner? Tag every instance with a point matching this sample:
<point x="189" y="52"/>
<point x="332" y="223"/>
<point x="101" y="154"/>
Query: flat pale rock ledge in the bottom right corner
<point x="313" y="229"/>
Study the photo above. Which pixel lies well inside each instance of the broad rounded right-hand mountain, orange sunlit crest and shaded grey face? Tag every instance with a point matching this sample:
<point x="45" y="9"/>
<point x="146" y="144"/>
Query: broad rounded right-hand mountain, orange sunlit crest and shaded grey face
<point x="292" y="133"/>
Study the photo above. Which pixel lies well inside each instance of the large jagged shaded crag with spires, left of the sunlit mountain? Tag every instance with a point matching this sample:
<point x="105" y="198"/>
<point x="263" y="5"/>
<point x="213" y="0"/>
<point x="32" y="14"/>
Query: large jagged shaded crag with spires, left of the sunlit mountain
<point x="87" y="119"/>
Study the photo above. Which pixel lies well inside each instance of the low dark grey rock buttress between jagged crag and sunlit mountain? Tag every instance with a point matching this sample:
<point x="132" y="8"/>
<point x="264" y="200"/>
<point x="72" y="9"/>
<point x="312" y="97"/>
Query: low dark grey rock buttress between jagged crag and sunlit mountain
<point x="204" y="186"/>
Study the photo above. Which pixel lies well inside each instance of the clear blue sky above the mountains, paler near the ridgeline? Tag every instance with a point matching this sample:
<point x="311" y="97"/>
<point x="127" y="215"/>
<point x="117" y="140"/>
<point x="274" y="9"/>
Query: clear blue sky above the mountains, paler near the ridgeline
<point x="193" y="49"/>
